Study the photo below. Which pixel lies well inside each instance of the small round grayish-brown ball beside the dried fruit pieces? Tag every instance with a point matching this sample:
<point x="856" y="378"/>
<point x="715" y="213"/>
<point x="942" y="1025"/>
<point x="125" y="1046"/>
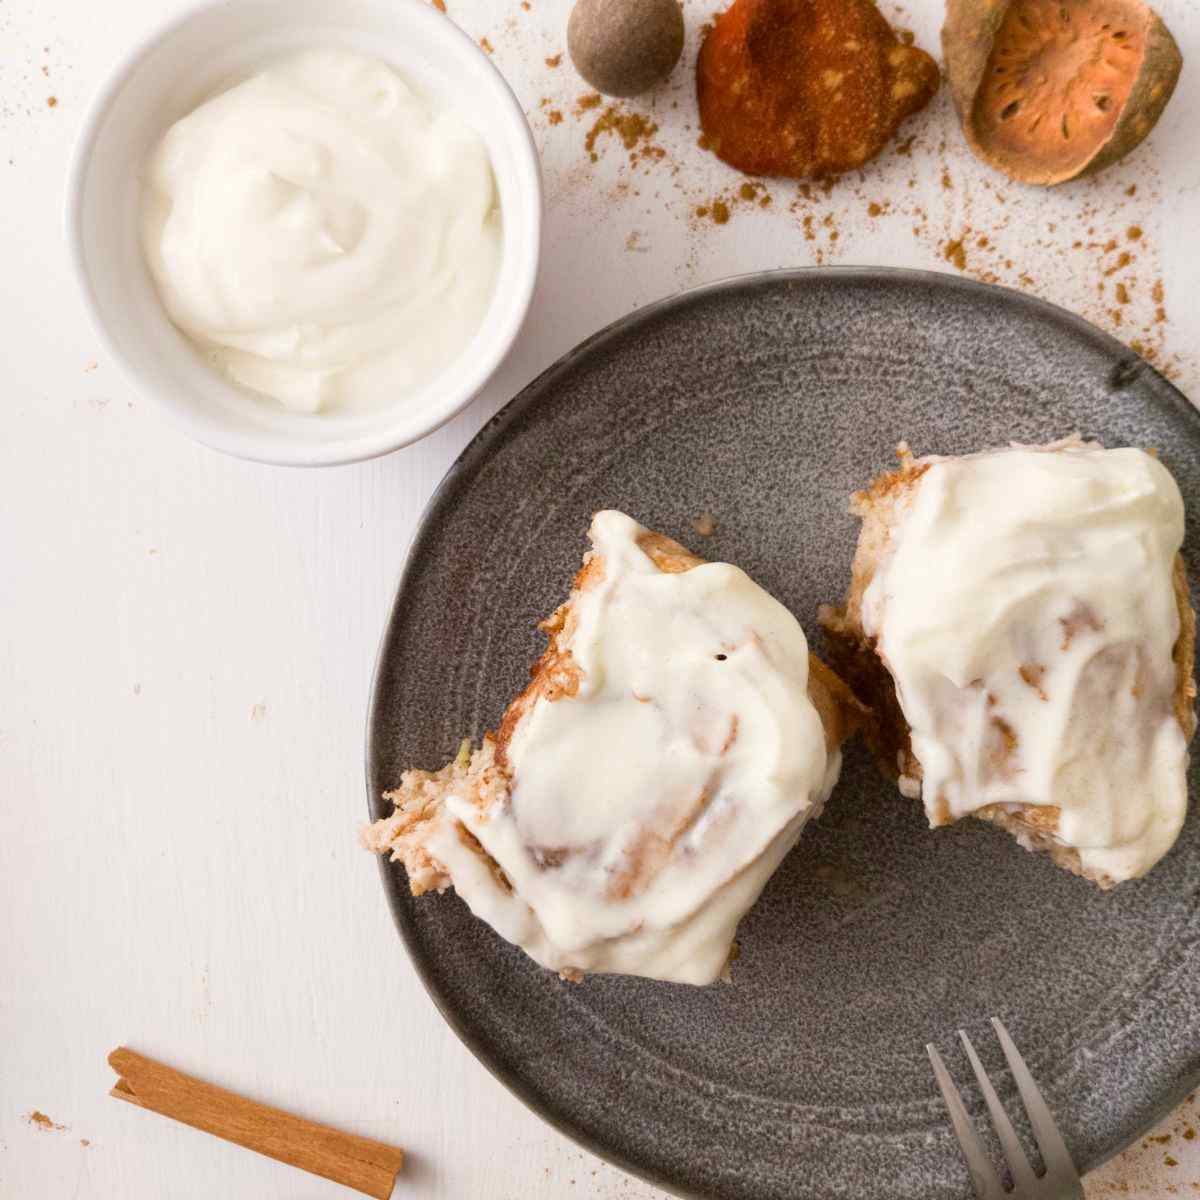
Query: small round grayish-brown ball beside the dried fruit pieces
<point x="623" y="47"/>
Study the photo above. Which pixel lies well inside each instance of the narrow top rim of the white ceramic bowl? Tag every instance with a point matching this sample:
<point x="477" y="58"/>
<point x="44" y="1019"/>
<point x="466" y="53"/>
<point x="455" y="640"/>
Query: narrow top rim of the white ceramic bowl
<point x="273" y="447"/>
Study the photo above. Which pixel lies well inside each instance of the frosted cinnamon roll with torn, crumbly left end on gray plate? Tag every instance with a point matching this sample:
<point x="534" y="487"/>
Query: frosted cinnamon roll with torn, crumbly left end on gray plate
<point x="669" y="751"/>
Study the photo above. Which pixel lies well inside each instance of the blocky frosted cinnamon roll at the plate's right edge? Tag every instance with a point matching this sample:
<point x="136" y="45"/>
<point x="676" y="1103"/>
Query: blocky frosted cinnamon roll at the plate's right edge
<point x="1019" y="621"/>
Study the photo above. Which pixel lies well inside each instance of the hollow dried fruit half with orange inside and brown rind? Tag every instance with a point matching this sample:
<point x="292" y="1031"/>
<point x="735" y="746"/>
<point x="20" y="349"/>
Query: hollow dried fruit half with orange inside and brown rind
<point x="1048" y="91"/>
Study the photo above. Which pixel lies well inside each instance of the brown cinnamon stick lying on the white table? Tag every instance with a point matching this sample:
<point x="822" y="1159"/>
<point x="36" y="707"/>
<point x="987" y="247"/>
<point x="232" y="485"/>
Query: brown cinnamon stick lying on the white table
<point x="369" y="1167"/>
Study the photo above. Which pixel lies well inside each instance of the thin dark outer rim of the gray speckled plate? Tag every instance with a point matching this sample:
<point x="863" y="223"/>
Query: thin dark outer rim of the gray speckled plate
<point x="532" y="394"/>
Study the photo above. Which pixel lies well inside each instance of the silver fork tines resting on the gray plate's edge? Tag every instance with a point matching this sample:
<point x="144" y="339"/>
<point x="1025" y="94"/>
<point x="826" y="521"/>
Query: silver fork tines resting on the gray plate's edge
<point x="1059" y="1183"/>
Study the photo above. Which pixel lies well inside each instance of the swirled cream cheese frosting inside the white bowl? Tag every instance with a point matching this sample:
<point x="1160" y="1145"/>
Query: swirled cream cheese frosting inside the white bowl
<point x="327" y="235"/>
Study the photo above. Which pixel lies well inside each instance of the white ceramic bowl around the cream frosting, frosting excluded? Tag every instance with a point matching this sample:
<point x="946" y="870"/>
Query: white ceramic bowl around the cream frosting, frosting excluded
<point x="197" y="56"/>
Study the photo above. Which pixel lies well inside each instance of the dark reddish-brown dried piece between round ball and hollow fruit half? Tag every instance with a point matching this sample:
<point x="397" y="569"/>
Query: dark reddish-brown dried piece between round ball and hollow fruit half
<point x="807" y="88"/>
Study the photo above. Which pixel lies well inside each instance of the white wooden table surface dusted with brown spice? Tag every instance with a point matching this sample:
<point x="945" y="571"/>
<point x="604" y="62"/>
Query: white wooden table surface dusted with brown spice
<point x="187" y="641"/>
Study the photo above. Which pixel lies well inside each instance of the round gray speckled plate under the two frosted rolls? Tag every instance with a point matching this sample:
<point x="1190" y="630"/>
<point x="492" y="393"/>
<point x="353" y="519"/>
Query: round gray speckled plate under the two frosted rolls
<point x="767" y="401"/>
